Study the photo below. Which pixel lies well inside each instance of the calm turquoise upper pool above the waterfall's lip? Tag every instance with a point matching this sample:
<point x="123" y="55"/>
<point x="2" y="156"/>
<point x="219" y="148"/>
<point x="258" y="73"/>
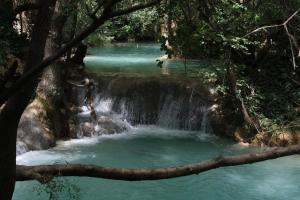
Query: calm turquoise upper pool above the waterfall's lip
<point x="137" y="58"/>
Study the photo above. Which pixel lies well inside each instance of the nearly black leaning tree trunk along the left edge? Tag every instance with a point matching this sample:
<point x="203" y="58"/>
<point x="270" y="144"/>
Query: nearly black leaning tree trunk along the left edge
<point x="14" y="107"/>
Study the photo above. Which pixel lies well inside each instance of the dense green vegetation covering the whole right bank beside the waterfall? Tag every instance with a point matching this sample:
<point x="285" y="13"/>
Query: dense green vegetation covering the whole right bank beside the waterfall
<point x="264" y="62"/>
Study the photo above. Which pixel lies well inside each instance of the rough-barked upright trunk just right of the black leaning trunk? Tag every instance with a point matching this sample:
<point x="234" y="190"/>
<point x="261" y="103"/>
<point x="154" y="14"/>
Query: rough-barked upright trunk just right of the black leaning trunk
<point x="50" y="87"/>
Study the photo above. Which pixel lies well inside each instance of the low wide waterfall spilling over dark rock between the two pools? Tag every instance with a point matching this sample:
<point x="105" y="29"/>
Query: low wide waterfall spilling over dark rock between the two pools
<point x="122" y="102"/>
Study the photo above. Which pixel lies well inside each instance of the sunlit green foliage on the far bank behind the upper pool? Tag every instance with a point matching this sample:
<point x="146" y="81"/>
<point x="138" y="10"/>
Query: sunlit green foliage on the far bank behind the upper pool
<point x="141" y="25"/>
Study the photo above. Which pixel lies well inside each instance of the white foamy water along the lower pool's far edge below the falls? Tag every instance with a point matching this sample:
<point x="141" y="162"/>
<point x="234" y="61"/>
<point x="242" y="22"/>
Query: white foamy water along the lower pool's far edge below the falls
<point x="62" y="154"/>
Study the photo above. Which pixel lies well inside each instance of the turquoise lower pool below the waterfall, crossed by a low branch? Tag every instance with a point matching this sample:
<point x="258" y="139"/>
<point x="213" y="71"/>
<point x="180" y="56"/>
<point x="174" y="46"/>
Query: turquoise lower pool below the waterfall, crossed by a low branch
<point x="152" y="147"/>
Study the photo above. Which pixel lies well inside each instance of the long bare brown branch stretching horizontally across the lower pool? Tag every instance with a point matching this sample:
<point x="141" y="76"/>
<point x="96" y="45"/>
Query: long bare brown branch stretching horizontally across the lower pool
<point x="25" y="173"/>
